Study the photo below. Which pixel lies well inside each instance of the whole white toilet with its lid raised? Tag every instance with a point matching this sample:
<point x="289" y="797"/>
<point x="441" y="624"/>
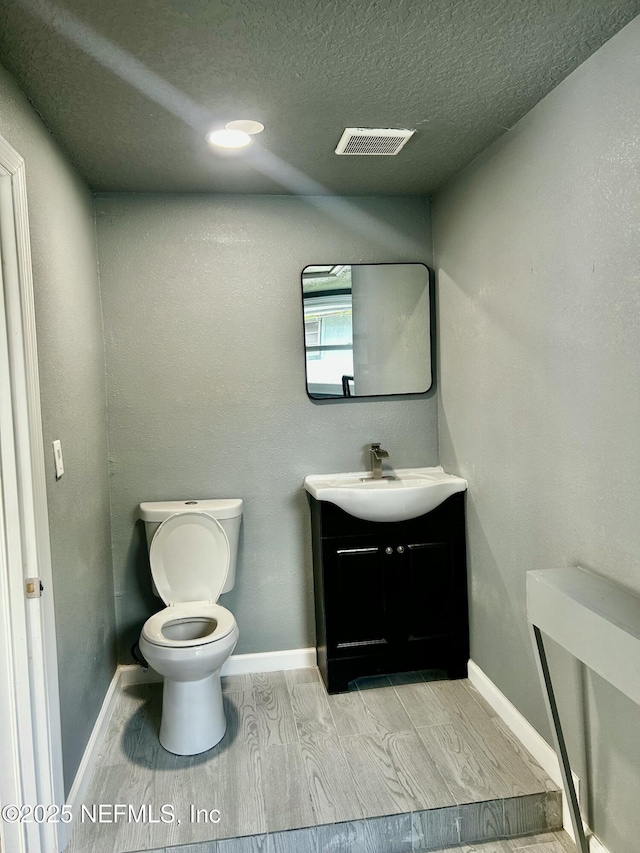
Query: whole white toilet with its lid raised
<point x="193" y="548"/>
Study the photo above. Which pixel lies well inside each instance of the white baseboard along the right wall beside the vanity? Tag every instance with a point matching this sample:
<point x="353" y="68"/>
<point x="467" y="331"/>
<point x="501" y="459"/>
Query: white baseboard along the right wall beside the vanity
<point x="532" y="741"/>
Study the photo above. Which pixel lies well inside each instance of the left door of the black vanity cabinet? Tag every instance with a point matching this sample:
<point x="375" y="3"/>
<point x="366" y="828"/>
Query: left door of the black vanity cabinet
<point x="357" y="610"/>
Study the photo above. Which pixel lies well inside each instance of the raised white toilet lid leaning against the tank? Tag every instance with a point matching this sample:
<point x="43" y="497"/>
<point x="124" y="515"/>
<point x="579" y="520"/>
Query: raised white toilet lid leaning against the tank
<point x="189" y="558"/>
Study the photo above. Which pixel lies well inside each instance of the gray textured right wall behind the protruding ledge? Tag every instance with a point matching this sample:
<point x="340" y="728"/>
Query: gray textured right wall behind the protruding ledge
<point x="539" y="310"/>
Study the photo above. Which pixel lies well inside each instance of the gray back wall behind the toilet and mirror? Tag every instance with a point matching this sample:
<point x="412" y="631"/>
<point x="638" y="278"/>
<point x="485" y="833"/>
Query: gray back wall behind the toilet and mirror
<point x="206" y="383"/>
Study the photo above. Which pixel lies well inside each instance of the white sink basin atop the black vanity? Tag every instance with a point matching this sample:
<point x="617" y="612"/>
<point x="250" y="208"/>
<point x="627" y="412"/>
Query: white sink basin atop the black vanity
<point x="410" y="493"/>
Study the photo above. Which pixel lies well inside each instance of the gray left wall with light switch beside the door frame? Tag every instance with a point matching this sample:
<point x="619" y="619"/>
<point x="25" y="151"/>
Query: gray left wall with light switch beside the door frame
<point x="71" y="361"/>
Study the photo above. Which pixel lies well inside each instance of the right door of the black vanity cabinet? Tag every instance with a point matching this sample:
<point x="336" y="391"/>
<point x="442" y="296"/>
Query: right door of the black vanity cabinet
<point x="430" y="586"/>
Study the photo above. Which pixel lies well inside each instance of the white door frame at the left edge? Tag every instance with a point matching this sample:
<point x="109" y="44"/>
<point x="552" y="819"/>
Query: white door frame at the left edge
<point x="30" y="732"/>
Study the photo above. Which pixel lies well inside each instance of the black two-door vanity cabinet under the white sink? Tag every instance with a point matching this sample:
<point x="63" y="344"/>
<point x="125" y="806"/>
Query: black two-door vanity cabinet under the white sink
<point x="389" y="596"/>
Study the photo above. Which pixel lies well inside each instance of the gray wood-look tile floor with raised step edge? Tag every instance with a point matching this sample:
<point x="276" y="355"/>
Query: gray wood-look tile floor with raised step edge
<point x="398" y="764"/>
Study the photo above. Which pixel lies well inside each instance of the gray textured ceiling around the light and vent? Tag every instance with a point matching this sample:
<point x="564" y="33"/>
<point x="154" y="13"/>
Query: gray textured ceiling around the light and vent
<point x="130" y="87"/>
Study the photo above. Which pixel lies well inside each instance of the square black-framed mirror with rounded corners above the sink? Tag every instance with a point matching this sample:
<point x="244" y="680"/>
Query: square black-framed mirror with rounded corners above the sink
<point x="367" y="329"/>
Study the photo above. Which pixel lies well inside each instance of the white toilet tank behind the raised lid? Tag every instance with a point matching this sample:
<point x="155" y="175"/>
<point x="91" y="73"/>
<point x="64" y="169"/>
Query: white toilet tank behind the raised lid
<point x="227" y="511"/>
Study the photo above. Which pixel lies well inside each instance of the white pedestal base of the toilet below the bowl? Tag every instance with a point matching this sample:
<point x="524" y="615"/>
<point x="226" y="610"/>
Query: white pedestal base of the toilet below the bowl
<point x="193" y="718"/>
